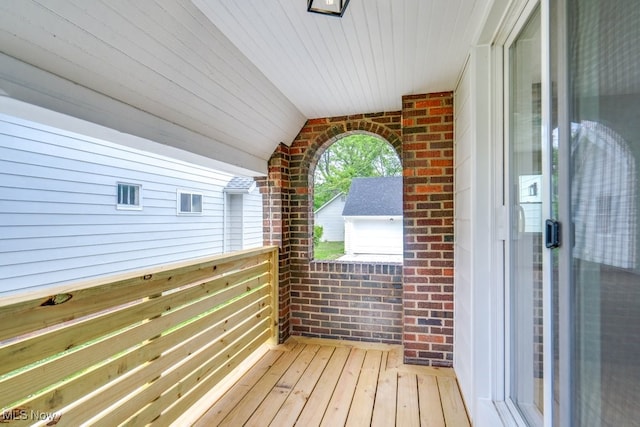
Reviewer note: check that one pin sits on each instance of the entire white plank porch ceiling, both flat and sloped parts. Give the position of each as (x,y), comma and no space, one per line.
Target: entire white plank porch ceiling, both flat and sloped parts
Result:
(229,79)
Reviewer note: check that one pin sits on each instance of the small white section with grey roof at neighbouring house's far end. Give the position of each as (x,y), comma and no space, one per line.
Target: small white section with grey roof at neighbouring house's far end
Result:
(243,214)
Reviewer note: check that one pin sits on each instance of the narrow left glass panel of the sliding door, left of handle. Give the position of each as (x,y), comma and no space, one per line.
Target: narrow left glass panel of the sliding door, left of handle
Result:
(526,197)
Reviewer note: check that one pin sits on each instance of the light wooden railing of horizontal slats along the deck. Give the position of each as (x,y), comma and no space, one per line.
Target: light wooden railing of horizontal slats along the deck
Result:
(140,349)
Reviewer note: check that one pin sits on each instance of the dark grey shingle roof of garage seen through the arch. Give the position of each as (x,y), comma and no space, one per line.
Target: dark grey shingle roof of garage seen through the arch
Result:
(374,197)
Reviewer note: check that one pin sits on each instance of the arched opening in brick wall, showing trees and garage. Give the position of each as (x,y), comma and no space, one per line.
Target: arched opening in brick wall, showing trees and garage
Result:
(357,200)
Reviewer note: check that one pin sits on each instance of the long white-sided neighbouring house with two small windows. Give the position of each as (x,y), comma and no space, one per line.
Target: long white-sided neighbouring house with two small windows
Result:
(74,207)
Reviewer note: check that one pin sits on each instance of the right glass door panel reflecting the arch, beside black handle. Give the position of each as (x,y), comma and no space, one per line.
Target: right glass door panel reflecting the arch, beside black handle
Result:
(604,75)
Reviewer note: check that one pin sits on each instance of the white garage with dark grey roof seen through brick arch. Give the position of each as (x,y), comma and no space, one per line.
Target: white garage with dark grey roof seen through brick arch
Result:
(373,216)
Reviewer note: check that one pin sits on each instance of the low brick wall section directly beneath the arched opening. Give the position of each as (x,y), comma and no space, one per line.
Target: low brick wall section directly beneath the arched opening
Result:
(353,301)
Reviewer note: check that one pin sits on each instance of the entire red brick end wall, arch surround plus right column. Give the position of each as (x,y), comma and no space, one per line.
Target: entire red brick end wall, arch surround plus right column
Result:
(410,303)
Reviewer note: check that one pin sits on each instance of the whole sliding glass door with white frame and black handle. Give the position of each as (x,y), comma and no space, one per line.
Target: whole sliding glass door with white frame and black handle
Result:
(573,311)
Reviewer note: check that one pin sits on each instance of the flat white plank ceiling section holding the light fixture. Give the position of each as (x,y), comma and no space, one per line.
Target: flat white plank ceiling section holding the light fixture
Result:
(362,63)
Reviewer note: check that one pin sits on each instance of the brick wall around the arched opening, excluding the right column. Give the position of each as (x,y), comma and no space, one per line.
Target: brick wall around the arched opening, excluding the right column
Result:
(342,300)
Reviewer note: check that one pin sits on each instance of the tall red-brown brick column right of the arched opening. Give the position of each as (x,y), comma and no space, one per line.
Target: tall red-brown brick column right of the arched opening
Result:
(427,147)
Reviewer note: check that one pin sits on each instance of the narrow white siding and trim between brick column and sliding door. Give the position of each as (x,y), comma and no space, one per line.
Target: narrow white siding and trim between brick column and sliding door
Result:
(476,219)
